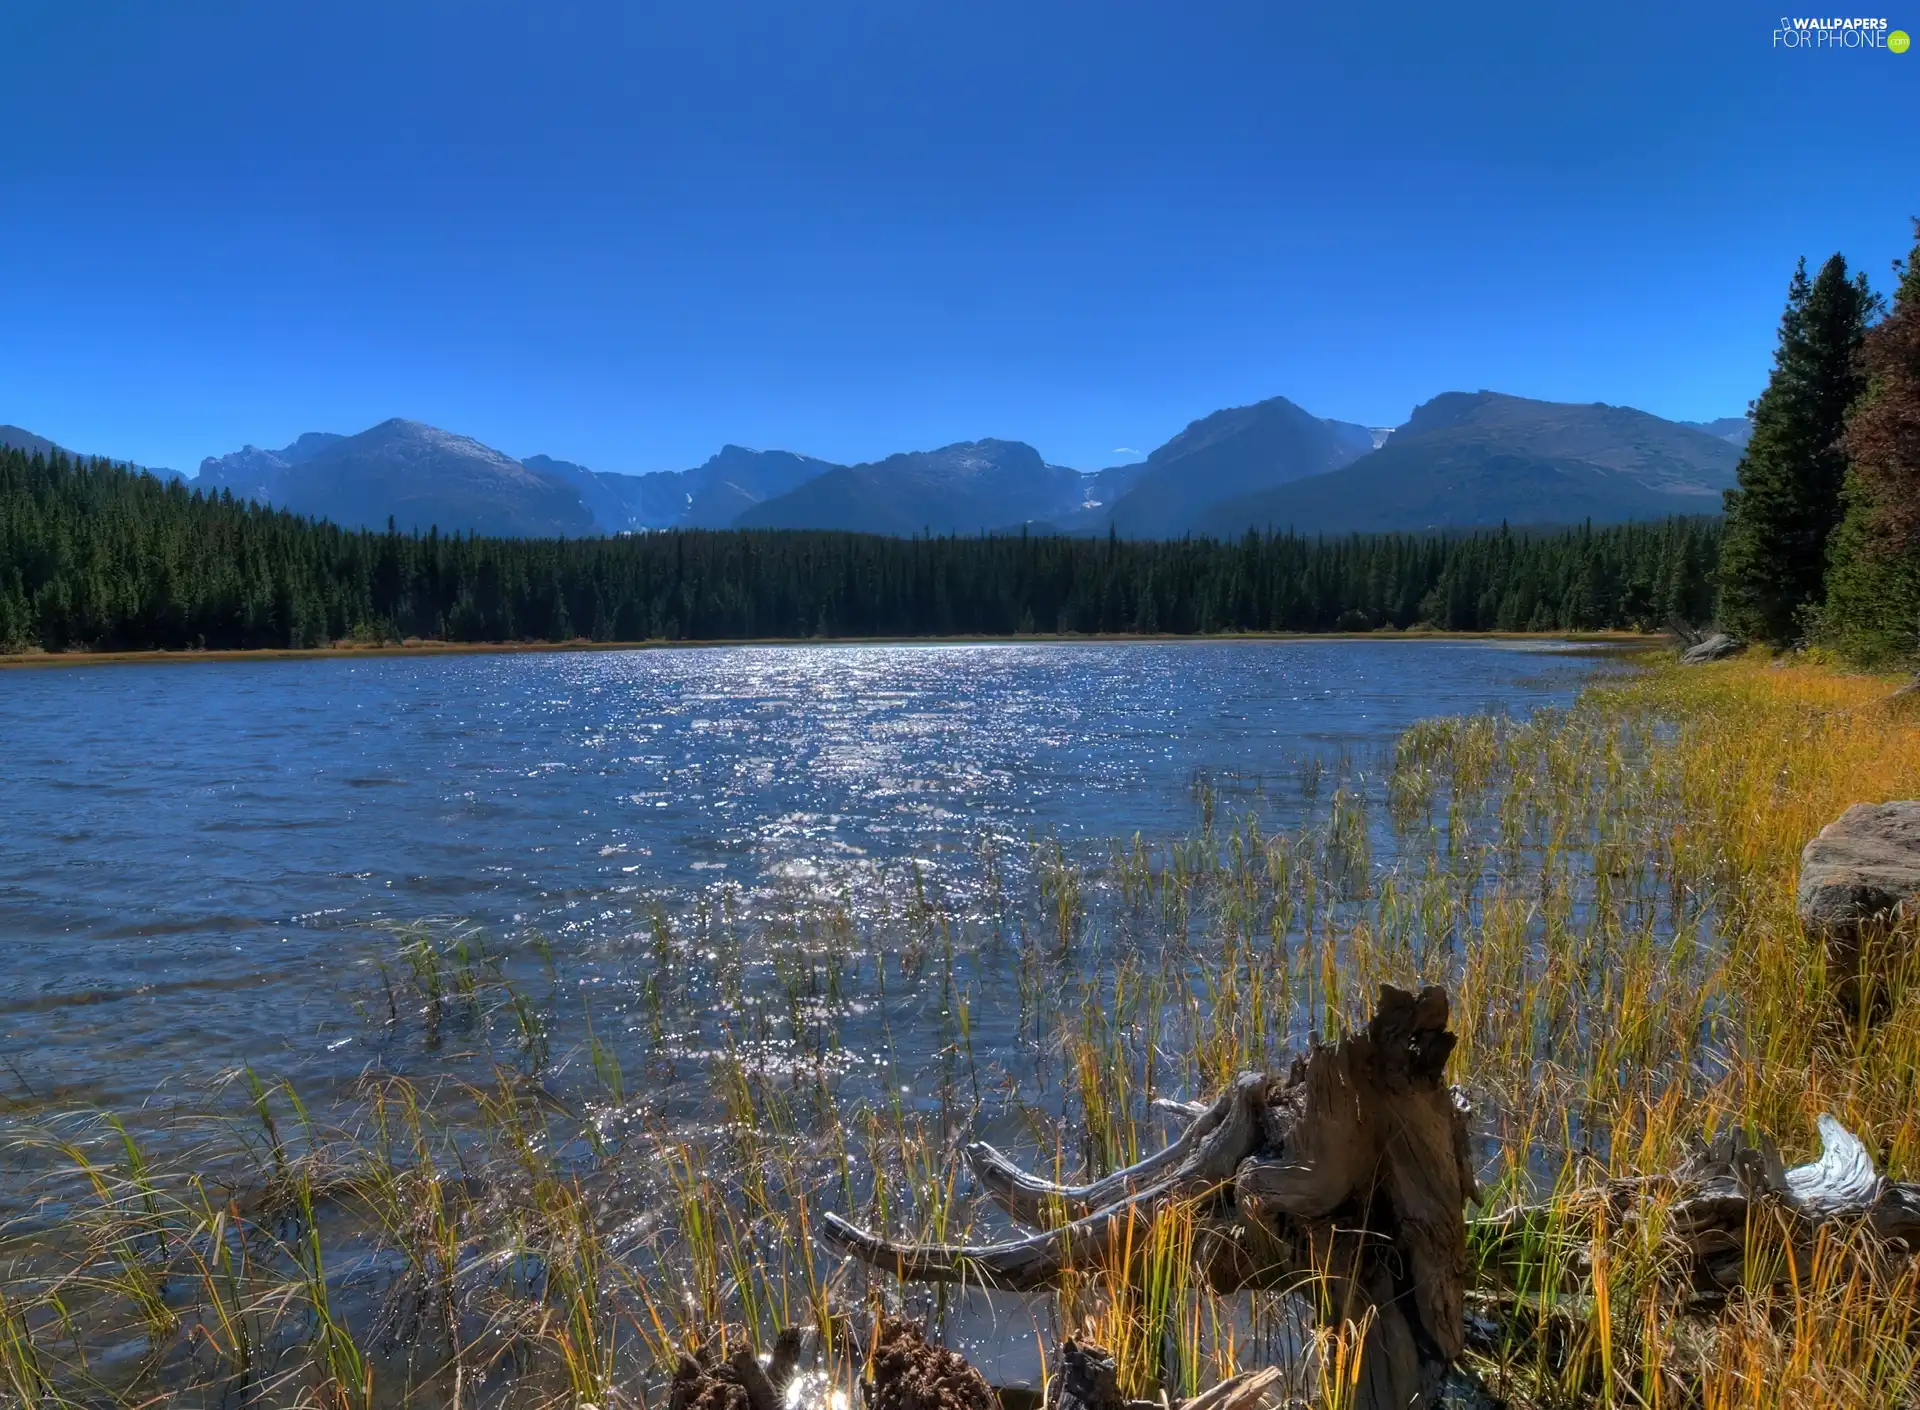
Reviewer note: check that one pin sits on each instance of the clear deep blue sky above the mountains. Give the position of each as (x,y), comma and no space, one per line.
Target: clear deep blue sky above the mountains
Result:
(627,233)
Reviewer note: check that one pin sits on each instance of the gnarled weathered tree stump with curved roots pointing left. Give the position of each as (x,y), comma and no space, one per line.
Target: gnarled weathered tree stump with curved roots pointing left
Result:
(1349,1180)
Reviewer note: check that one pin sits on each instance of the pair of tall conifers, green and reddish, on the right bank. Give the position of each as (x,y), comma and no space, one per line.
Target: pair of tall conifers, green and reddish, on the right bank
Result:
(1823,535)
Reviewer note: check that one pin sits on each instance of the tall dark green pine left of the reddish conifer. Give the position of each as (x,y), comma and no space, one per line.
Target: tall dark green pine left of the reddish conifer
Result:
(1773,560)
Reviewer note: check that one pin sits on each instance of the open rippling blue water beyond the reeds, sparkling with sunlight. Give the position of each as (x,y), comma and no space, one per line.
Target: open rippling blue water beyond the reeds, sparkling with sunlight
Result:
(197,860)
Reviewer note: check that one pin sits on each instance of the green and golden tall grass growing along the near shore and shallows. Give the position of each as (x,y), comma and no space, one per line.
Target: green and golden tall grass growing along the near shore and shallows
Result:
(558,1171)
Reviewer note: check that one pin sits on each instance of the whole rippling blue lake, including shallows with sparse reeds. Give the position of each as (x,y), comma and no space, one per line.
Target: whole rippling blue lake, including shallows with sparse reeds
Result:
(748,931)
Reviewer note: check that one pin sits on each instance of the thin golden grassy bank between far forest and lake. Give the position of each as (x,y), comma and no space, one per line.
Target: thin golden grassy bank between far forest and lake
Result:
(51,660)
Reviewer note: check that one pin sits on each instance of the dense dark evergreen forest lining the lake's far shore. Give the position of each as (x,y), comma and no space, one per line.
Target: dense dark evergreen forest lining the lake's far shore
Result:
(99,558)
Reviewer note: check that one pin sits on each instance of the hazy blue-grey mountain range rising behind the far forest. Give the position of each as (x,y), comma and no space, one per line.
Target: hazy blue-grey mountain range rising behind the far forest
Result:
(1462,460)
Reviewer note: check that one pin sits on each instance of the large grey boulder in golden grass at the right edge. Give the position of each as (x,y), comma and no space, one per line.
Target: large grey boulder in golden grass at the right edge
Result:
(1863,871)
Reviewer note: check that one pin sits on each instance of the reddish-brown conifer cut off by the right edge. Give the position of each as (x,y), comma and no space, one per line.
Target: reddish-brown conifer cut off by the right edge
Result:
(1875,581)
